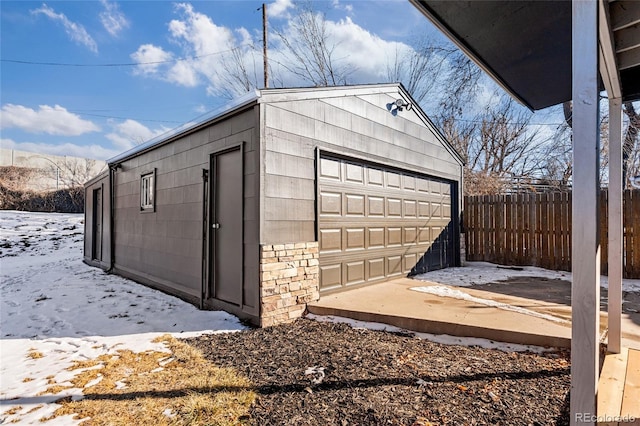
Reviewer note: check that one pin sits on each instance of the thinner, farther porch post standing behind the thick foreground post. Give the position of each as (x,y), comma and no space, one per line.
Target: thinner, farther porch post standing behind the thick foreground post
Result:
(615,225)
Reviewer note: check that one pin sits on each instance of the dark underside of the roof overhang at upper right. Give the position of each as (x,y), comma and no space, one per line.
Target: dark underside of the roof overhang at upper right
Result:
(525,46)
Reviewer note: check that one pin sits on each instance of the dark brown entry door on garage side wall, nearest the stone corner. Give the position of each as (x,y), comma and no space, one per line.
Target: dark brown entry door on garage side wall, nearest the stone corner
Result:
(226,226)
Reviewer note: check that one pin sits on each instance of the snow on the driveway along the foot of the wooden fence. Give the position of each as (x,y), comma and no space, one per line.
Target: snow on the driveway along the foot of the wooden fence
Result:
(483,273)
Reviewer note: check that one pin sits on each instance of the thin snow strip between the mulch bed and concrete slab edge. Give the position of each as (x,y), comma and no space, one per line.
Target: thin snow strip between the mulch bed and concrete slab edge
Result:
(444,339)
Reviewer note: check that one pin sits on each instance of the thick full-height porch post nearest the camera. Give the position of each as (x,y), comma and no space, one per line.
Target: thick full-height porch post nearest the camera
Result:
(585,254)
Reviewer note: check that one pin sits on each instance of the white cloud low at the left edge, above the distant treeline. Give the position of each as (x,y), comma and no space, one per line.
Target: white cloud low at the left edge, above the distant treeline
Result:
(54,120)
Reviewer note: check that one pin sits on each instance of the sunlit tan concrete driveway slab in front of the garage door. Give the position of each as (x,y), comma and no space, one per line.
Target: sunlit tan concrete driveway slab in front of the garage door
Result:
(520,312)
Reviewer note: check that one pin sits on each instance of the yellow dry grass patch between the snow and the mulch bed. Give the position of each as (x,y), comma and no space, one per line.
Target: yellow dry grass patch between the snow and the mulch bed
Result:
(157,388)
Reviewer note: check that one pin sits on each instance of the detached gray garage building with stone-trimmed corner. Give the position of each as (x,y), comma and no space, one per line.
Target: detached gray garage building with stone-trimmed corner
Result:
(284,196)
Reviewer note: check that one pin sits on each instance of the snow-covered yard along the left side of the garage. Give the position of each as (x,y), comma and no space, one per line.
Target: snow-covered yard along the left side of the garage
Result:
(54,305)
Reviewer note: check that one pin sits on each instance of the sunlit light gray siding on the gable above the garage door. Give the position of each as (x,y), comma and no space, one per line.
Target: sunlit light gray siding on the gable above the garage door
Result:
(359,126)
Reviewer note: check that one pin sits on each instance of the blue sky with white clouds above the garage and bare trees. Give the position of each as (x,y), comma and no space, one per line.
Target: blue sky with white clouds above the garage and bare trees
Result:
(113,93)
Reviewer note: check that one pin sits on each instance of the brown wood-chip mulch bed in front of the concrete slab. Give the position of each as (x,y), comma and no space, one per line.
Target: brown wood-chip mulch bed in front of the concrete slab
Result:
(383,378)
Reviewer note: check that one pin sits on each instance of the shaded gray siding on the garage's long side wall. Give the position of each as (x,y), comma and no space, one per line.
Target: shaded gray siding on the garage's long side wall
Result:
(164,248)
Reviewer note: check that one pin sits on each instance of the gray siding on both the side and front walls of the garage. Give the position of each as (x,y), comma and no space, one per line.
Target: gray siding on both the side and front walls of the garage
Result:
(282,134)
